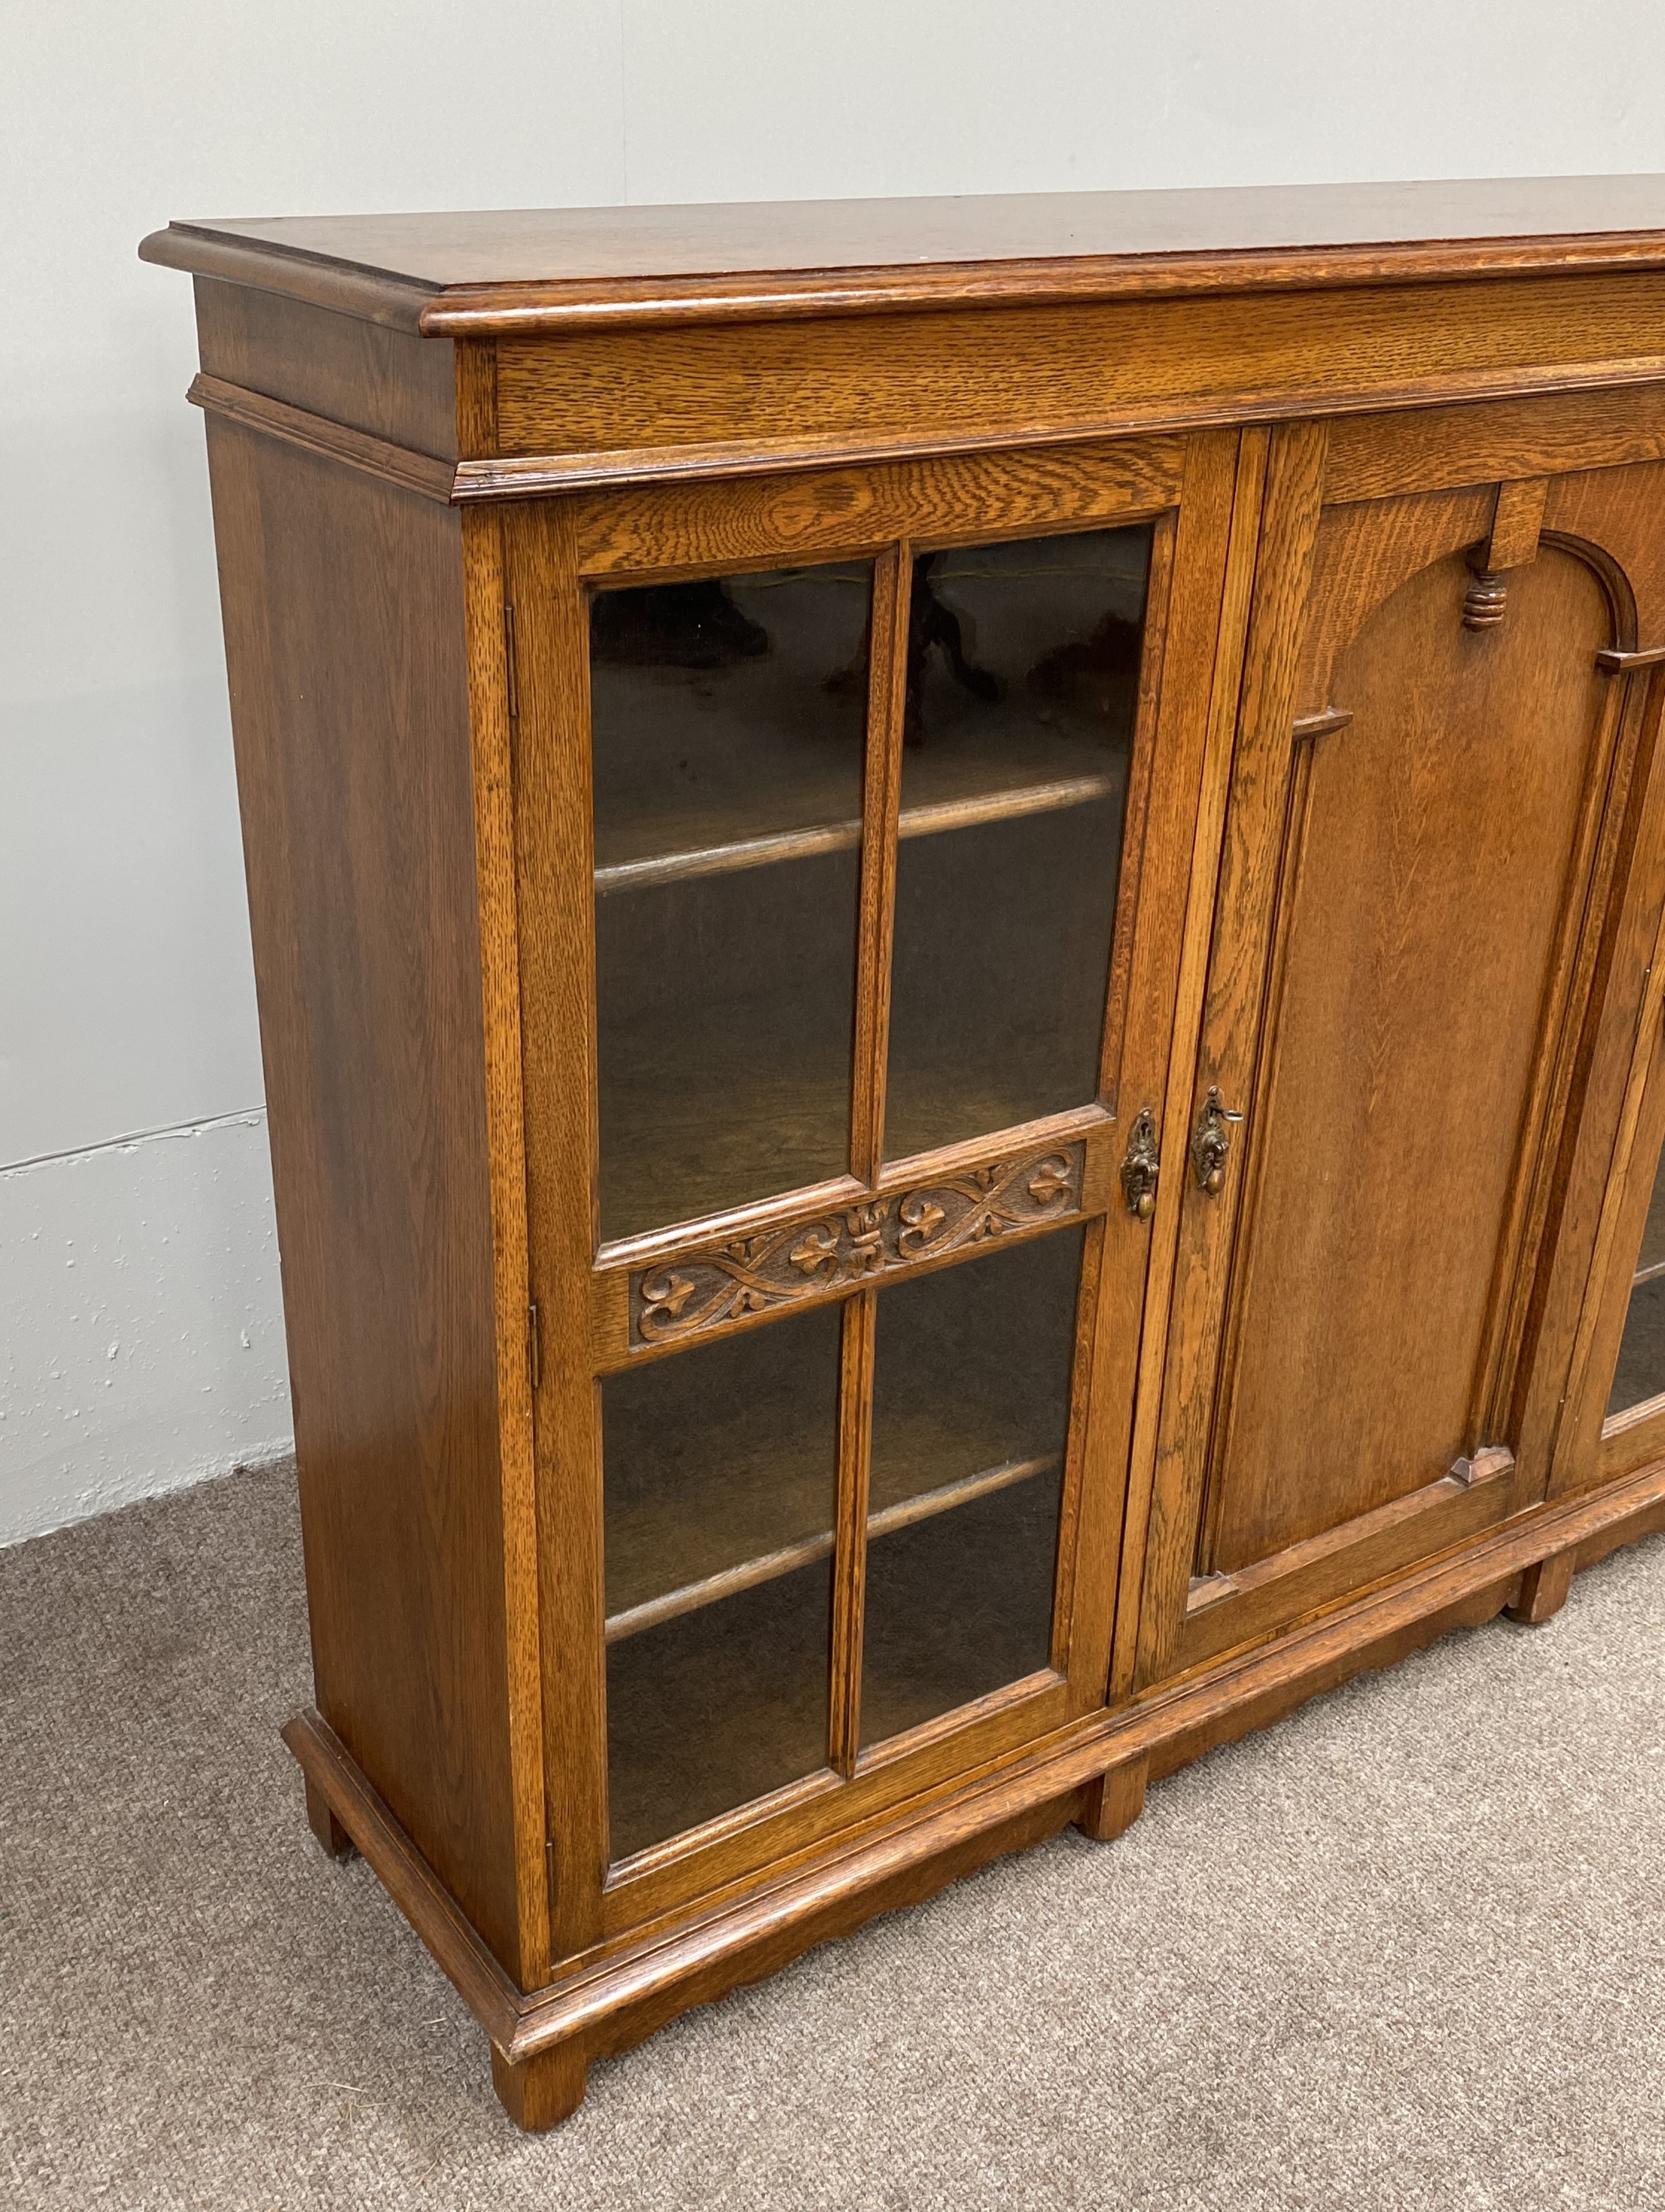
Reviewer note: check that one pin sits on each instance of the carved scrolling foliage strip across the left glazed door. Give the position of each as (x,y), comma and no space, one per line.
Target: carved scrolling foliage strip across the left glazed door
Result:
(848,1246)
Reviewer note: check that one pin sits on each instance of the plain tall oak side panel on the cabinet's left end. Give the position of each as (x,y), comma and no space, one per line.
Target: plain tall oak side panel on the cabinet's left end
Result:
(350,707)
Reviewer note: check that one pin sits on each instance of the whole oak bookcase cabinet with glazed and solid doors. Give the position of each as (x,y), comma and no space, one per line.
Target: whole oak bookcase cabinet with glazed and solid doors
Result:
(956,941)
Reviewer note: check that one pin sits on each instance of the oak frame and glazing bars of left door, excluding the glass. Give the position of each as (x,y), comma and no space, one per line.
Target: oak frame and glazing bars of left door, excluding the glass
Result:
(596,1297)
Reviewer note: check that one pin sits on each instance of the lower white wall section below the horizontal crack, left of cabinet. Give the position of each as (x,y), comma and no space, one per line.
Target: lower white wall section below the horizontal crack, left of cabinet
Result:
(140,1324)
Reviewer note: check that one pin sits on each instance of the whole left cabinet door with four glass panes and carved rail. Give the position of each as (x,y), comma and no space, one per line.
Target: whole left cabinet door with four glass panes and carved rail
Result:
(855,844)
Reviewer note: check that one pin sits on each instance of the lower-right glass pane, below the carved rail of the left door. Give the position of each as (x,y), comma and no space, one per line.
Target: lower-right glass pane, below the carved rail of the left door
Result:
(972,1406)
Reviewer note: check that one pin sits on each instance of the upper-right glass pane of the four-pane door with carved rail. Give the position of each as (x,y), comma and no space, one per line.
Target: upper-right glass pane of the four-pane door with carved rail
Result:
(1020,713)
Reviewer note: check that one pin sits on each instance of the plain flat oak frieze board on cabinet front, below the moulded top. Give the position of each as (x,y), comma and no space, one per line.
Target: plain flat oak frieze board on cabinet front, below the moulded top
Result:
(1032,375)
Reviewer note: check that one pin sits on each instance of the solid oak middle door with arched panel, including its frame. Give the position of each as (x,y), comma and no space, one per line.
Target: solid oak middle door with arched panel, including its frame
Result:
(1430,826)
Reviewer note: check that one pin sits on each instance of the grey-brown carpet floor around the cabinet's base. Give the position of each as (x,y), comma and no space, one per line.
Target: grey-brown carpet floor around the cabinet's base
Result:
(1403,1950)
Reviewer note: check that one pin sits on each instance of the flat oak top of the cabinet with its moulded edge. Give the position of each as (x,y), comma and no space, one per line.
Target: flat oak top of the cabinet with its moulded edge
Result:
(545,269)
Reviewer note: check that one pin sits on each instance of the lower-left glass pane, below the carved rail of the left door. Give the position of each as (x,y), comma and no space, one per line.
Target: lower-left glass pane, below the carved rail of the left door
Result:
(720,1477)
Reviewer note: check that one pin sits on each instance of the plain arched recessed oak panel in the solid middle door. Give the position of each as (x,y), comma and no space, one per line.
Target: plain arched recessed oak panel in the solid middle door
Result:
(1427,870)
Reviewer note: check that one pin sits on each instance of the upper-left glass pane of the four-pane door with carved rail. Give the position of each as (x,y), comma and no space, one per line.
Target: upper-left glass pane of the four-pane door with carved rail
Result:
(729,722)
